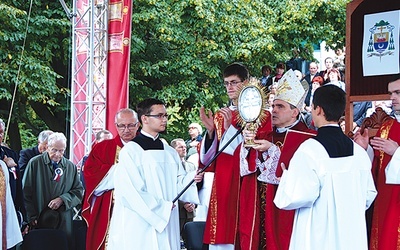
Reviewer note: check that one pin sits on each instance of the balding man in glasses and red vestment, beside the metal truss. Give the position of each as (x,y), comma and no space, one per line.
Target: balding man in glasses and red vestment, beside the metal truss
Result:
(97,203)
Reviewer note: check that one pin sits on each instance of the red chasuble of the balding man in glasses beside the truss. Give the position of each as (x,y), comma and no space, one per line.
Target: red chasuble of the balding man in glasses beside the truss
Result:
(97,217)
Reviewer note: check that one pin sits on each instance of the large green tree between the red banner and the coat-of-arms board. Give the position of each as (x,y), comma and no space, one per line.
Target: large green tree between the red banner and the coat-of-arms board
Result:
(180,47)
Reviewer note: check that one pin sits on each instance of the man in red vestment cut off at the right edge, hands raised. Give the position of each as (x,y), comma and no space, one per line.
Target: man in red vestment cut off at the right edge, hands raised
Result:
(385,230)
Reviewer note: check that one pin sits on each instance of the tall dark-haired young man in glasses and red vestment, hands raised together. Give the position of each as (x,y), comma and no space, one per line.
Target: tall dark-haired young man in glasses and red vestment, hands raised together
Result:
(233,214)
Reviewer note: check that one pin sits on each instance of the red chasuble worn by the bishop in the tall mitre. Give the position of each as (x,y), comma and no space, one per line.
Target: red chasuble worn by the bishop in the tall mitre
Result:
(278,223)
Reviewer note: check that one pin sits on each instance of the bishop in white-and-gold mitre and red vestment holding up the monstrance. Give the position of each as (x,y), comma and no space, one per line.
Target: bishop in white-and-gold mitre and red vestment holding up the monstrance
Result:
(276,224)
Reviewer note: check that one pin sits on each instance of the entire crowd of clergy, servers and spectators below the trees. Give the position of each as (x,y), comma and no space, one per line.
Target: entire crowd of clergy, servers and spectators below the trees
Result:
(132,199)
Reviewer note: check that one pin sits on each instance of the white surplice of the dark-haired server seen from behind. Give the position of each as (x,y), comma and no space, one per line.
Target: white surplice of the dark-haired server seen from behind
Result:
(330,195)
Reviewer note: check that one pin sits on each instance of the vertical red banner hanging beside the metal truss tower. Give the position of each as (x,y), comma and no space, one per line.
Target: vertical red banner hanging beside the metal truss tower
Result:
(119,35)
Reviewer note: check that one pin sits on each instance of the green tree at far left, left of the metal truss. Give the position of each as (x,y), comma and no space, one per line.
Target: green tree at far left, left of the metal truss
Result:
(41,74)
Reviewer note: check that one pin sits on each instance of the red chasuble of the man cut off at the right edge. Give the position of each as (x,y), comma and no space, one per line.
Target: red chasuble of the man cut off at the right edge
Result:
(385,231)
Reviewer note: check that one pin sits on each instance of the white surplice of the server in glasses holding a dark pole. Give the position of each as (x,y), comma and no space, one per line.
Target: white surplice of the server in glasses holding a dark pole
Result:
(145,184)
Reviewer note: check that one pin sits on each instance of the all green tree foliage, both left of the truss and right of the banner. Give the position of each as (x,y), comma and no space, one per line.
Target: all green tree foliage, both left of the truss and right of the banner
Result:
(178,50)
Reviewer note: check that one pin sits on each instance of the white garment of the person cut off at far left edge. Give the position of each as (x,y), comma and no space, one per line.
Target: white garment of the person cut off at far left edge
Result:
(13,233)
